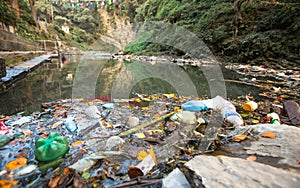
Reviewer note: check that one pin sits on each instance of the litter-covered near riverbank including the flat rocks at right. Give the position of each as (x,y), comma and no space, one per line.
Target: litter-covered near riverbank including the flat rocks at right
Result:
(103,152)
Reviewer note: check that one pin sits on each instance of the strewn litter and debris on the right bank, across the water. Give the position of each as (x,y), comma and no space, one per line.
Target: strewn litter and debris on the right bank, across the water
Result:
(275,84)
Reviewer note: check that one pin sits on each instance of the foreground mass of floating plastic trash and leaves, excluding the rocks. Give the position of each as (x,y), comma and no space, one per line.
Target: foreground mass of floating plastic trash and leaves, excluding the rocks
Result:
(123,143)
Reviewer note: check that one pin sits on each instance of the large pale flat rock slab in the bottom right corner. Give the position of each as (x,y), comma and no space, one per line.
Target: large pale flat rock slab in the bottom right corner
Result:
(208,171)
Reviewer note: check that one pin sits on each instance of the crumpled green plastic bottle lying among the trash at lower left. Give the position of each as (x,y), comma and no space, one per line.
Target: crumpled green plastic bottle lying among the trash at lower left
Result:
(51,148)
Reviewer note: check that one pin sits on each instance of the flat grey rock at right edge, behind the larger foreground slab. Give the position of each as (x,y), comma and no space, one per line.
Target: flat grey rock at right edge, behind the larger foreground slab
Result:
(285,145)
